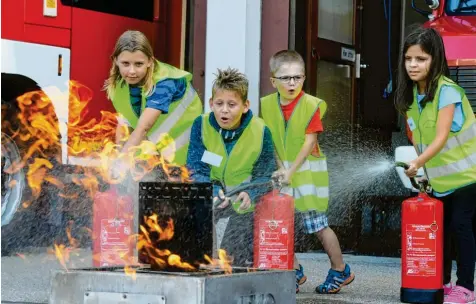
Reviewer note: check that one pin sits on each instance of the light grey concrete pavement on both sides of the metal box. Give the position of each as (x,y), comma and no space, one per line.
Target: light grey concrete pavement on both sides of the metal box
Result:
(377,279)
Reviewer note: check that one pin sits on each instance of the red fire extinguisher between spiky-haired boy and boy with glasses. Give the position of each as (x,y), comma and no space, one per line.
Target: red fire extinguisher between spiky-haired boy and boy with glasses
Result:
(274,232)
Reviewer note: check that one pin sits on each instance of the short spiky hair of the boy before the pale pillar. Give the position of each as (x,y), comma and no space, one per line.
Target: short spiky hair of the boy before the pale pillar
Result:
(231,80)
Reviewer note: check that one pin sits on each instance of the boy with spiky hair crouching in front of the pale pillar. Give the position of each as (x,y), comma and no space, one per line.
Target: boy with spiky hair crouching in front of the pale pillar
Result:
(231,147)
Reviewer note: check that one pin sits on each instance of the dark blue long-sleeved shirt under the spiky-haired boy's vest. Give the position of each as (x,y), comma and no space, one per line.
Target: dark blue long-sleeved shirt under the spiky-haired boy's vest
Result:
(262,170)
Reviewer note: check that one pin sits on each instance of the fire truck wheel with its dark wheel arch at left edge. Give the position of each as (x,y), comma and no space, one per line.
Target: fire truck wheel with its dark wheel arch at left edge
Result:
(22,228)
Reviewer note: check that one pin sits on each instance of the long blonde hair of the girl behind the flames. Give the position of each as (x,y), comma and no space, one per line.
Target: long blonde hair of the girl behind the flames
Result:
(131,41)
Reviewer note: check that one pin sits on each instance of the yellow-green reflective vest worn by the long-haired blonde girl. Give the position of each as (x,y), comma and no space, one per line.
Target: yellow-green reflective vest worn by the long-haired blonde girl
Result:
(175,125)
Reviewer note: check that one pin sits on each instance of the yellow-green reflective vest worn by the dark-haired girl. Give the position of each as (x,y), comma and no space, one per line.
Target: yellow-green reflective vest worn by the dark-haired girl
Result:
(455,165)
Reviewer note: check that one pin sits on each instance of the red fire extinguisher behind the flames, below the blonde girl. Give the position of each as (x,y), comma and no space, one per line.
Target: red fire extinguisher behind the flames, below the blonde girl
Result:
(113,220)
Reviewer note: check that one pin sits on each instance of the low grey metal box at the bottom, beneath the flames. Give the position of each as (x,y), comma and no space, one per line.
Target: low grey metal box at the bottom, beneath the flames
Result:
(153,287)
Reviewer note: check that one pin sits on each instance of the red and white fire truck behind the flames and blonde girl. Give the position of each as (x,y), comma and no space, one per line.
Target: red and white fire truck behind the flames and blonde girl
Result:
(47,43)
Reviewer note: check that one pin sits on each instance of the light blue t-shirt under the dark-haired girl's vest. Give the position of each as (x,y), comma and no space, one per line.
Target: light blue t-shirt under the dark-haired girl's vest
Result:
(448,95)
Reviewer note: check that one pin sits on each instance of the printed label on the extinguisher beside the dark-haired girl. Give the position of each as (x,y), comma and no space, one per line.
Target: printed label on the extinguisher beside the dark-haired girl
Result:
(421,251)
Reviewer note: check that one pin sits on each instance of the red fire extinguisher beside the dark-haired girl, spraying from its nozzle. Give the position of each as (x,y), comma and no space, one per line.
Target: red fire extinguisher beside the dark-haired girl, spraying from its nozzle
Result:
(422,248)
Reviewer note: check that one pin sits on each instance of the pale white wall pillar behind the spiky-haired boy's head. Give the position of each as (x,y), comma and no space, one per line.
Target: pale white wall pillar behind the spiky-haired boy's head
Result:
(233,34)
